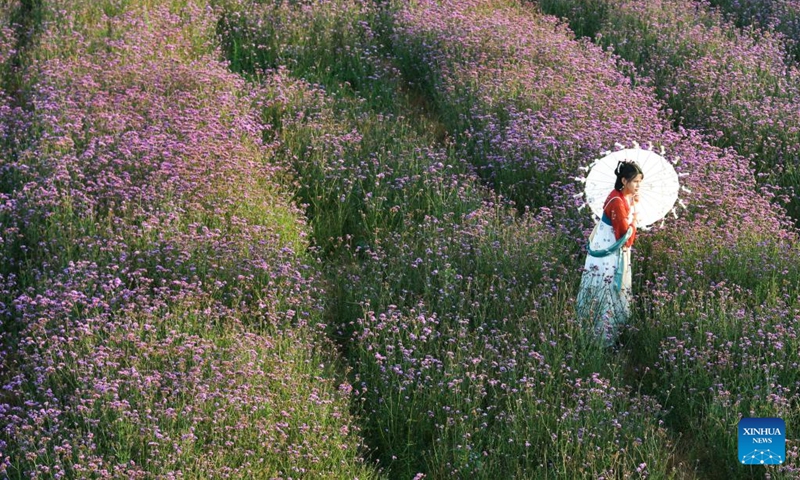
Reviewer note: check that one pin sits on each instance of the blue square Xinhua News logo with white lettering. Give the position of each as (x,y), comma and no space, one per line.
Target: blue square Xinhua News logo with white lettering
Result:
(762,441)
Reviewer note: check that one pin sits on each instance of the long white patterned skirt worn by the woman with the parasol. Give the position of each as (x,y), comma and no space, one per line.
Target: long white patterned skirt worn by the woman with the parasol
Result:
(601,304)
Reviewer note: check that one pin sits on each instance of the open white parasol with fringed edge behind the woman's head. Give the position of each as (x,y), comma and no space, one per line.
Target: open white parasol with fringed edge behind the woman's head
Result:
(658,191)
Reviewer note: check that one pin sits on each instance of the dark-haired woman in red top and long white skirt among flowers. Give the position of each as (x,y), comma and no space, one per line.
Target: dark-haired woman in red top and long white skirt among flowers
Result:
(604,296)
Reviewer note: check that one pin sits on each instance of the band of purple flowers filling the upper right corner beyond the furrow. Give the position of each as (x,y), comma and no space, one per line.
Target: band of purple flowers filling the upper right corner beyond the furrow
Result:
(736,86)
